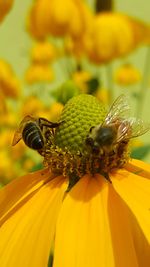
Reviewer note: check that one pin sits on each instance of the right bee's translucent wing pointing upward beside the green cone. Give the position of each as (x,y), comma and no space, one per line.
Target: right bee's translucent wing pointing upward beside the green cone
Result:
(119,109)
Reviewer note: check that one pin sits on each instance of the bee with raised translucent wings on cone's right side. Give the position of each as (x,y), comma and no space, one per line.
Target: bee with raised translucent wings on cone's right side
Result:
(117,128)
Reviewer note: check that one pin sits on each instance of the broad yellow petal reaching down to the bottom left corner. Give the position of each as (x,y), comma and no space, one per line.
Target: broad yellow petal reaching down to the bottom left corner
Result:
(28,234)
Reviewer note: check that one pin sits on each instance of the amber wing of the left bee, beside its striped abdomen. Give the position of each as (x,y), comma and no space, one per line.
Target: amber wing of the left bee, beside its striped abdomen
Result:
(18,133)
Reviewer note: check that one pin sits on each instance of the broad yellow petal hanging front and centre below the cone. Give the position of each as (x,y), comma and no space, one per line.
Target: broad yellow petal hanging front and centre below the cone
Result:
(94,228)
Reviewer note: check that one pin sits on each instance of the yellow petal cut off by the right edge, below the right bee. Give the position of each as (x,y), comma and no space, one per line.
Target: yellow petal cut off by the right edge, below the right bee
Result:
(135,191)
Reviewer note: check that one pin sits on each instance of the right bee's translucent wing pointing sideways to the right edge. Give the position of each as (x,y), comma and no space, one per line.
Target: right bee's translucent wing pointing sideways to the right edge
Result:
(138,126)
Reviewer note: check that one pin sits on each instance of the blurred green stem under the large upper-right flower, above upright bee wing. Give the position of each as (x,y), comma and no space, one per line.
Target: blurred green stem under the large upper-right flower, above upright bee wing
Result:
(109,75)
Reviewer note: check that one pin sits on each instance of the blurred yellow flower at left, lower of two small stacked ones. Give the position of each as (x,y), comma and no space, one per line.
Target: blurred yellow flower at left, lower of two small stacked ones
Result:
(39,73)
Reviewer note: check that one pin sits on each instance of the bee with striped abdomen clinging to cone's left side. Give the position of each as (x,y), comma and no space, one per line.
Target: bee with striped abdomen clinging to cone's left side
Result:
(33,131)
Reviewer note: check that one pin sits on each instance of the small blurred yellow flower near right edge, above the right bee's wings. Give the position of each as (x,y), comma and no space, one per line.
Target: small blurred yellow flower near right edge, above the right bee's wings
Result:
(127,74)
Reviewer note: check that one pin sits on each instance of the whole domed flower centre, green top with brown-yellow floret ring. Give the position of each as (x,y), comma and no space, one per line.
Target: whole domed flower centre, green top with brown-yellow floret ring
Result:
(70,151)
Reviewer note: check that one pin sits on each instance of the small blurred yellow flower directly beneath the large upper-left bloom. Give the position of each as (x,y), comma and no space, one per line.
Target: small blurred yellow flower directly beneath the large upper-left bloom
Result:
(43,52)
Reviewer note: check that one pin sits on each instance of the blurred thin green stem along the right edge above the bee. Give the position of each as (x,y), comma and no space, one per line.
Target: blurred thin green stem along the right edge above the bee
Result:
(144,84)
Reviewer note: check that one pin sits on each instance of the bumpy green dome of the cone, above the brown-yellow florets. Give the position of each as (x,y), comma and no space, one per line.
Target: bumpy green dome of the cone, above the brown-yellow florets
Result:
(78,116)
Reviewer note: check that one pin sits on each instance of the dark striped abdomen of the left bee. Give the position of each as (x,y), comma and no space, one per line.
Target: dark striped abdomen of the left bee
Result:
(32,136)
